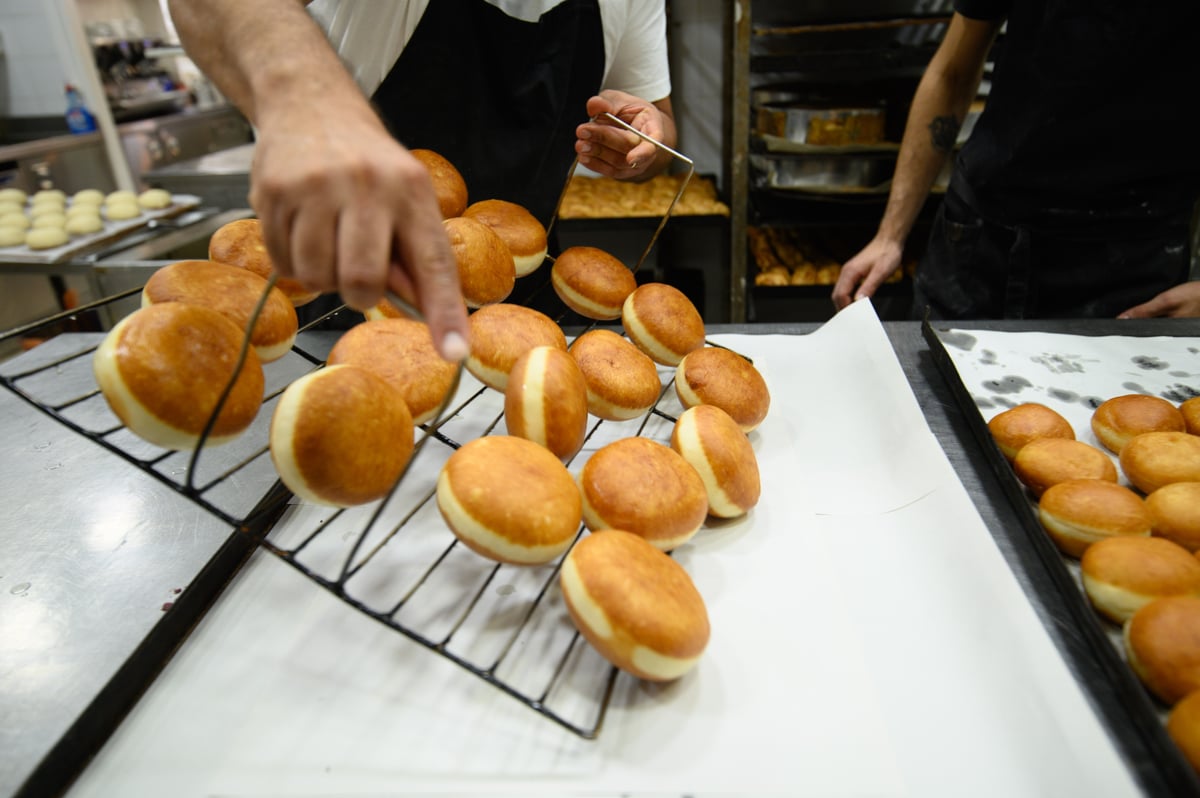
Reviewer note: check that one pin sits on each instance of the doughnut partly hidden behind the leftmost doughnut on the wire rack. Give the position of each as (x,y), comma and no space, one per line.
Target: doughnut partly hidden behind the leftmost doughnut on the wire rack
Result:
(232,292)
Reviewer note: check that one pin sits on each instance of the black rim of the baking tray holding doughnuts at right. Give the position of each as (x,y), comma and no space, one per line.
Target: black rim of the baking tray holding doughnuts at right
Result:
(1130,712)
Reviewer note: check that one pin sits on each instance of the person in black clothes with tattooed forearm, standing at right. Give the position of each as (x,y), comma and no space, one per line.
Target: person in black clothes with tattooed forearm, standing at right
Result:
(1075,195)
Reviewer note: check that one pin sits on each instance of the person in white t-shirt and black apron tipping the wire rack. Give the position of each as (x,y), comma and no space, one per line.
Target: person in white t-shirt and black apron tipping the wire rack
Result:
(503,89)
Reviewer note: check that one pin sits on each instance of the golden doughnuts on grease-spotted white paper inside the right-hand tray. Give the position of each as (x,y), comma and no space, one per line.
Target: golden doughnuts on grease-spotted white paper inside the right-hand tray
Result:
(1099,439)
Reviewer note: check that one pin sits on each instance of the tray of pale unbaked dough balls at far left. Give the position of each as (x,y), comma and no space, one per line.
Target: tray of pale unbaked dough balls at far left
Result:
(51,226)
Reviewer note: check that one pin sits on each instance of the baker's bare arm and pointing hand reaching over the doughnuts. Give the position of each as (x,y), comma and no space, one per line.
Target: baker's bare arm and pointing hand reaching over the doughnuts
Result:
(344,206)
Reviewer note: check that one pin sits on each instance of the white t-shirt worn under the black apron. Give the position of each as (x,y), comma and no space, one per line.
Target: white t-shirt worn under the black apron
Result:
(369,35)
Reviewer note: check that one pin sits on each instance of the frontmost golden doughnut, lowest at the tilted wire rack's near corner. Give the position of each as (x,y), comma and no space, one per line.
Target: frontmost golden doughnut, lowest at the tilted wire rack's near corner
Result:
(635,605)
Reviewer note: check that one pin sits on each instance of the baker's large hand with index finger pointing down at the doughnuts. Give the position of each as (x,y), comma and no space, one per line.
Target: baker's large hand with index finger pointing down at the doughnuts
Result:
(346,208)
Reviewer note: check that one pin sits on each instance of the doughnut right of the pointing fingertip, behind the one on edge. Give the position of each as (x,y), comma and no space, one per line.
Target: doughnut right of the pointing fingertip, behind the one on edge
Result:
(502,333)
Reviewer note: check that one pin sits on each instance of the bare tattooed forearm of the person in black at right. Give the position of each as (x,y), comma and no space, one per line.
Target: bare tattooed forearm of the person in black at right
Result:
(935,118)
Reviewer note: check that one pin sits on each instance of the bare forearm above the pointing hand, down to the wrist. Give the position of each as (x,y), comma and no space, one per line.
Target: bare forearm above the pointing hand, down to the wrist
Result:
(268,57)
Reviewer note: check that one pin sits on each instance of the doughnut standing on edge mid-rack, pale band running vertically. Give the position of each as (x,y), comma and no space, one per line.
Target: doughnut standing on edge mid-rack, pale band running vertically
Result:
(547,401)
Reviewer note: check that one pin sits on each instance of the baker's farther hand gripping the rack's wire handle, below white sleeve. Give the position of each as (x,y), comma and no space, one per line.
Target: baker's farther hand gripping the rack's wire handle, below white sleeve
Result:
(613,151)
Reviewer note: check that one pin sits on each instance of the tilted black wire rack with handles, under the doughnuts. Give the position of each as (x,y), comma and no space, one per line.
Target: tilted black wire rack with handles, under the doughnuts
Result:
(394,560)
